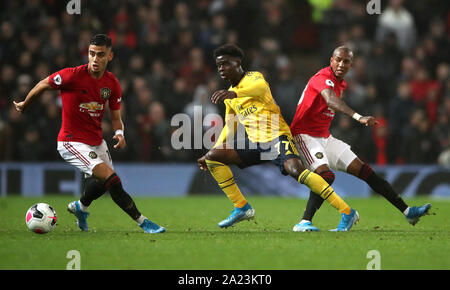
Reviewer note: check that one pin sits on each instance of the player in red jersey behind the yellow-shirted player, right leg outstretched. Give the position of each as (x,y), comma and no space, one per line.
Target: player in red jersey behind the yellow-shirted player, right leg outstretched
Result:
(321,152)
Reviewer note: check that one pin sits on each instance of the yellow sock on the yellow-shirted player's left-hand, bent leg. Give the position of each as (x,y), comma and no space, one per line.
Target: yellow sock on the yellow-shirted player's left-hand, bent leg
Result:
(224,177)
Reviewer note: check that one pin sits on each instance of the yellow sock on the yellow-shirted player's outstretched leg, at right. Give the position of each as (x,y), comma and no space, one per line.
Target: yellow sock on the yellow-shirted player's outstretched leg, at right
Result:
(319,186)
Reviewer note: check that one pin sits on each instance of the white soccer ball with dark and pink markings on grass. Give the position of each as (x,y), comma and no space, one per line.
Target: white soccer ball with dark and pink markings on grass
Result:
(41,218)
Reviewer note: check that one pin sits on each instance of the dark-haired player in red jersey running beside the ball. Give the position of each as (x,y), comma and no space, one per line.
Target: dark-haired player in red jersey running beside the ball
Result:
(85,91)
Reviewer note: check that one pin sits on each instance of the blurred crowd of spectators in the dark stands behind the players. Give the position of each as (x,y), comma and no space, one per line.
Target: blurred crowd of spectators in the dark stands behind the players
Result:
(163,60)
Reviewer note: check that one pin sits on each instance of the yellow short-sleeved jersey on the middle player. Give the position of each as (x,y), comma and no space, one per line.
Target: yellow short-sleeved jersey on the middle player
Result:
(254,108)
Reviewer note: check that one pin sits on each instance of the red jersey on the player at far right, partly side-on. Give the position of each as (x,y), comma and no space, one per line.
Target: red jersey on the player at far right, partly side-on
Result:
(313,117)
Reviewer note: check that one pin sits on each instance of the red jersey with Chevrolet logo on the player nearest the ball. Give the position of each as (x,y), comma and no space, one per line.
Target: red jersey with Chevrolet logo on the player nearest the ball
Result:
(83,103)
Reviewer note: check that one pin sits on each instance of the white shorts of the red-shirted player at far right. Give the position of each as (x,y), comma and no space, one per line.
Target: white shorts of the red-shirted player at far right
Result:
(317,151)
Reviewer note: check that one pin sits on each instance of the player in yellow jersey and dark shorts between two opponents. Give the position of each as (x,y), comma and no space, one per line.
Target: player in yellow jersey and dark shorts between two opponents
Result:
(268,138)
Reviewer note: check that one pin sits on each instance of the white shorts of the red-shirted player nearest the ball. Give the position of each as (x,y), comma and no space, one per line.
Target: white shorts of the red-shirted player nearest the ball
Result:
(85,157)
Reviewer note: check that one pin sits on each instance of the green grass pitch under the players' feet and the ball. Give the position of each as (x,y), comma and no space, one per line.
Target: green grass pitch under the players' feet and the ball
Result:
(193,241)
